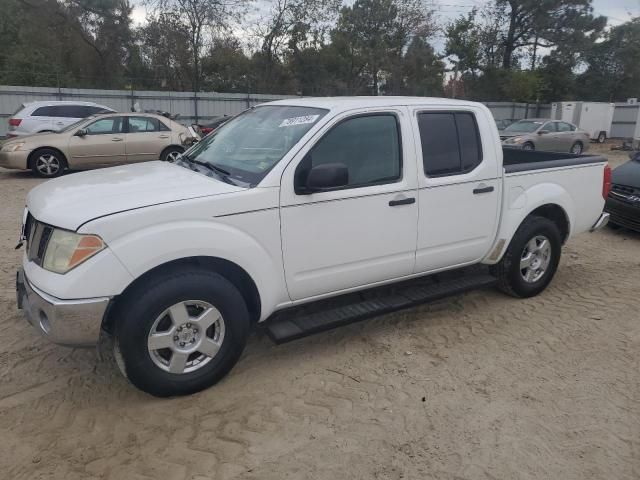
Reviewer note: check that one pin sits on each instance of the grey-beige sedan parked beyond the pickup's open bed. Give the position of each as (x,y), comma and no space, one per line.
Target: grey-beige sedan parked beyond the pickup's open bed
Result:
(546,135)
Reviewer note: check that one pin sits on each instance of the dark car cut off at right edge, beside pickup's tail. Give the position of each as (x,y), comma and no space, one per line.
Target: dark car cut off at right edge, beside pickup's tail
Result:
(623,203)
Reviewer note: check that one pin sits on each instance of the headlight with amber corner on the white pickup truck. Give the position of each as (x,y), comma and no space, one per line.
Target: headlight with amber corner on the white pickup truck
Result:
(66,250)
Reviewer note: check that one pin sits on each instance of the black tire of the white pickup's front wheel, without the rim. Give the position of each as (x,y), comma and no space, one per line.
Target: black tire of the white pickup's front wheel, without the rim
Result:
(141,308)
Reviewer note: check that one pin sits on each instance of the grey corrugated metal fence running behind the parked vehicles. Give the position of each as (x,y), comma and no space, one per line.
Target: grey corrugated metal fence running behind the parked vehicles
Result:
(200,107)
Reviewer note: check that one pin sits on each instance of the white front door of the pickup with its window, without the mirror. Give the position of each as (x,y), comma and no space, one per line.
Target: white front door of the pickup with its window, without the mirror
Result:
(363,232)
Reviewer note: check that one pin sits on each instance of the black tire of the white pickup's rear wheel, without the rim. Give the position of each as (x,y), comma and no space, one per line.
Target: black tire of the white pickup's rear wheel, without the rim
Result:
(508,272)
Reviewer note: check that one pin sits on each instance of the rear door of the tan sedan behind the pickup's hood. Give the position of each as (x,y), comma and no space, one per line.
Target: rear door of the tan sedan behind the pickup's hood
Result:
(146,138)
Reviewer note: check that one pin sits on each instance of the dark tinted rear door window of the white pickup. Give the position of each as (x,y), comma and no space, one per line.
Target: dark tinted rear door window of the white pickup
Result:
(450,143)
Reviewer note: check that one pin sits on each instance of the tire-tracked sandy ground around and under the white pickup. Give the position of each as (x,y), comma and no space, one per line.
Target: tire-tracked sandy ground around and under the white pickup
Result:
(479,386)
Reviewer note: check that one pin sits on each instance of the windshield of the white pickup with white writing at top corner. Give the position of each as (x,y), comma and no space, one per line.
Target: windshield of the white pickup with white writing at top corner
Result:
(248,146)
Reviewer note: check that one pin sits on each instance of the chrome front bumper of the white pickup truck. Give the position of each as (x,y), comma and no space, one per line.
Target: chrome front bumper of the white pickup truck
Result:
(73,323)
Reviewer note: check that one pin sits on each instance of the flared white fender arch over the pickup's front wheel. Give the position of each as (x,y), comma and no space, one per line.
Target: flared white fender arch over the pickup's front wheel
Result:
(144,249)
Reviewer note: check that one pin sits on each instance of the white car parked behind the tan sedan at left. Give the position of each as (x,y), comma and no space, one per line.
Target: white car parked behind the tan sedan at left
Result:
(38,117)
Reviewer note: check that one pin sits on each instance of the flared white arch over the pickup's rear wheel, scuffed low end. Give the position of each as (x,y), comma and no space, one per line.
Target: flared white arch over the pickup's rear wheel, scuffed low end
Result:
(519,203)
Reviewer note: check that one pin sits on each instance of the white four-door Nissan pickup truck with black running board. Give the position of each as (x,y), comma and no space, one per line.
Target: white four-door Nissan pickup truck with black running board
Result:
(288,204)
